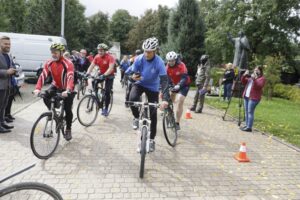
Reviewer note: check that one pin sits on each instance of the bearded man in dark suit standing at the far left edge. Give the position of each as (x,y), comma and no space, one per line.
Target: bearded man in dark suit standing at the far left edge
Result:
(7,70)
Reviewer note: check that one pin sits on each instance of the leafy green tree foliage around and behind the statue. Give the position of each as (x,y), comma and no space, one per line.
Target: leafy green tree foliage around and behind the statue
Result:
(269,25)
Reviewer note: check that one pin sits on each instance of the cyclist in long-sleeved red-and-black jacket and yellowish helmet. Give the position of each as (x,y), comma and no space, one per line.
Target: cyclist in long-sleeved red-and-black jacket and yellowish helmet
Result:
(62,72)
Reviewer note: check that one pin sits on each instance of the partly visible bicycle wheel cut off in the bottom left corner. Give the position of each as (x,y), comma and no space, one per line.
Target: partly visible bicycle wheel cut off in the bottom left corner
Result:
(29,190)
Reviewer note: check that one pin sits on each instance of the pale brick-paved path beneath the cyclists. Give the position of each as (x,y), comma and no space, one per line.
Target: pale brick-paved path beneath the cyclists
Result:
(101,162)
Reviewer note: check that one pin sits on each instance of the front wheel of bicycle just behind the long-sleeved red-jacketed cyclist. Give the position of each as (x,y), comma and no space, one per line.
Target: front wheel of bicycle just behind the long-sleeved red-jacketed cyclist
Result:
(87,110)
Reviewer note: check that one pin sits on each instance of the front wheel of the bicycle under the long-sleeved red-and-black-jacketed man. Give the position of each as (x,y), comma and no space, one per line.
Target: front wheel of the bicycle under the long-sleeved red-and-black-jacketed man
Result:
(44,137)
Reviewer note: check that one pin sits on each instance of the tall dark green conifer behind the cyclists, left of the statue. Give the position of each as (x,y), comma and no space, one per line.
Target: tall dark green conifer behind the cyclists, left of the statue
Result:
(186,33)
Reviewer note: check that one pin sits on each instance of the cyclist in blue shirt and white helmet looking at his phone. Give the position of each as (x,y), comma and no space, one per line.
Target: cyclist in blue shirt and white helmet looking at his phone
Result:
(149,72)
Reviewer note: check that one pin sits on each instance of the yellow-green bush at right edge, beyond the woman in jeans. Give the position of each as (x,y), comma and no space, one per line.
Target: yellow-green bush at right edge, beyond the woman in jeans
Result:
(287,92)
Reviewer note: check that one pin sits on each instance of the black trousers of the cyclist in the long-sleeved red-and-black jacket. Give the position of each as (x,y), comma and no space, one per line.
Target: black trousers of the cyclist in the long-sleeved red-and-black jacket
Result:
(68,103)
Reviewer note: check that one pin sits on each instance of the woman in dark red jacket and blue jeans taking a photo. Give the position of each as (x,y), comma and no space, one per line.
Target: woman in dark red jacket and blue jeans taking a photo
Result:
(254,84)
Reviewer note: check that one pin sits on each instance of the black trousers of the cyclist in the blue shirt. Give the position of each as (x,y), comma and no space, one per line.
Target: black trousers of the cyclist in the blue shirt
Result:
(135,94)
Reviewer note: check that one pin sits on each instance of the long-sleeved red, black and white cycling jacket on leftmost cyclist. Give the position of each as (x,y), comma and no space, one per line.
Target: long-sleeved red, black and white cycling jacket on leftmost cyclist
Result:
(62,72)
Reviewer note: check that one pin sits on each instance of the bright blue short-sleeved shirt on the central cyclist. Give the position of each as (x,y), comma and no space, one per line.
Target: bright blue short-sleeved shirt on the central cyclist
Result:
(150,71)
